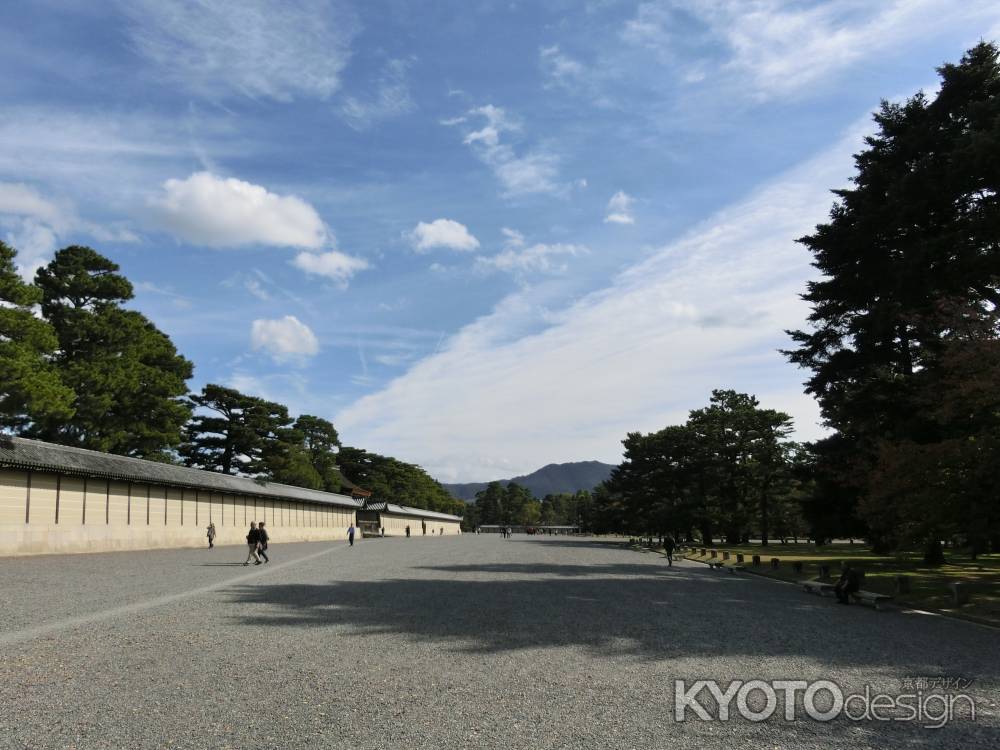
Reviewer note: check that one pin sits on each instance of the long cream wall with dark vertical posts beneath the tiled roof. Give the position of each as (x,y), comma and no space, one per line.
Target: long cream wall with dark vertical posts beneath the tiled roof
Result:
(42,512)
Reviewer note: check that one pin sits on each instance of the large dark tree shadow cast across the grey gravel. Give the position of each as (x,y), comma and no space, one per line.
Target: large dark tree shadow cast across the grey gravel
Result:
(663,615)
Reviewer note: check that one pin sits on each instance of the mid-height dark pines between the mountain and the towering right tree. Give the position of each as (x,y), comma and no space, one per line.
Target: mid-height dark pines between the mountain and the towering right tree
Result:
(730,471)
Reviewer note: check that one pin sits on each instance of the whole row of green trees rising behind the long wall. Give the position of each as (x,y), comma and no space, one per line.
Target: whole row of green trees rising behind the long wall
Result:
(78,368)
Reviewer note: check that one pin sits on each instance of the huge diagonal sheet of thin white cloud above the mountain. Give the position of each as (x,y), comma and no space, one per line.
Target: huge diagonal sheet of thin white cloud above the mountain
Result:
(706,311)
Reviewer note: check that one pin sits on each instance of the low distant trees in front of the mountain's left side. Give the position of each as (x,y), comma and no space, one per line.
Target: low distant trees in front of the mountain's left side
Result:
(514,505)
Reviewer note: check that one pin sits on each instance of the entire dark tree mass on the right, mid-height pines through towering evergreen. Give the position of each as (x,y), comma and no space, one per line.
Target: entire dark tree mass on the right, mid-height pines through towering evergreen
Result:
(904,354)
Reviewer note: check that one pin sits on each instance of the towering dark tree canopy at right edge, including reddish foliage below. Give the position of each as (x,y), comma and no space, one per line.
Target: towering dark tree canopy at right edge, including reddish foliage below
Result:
(903,317)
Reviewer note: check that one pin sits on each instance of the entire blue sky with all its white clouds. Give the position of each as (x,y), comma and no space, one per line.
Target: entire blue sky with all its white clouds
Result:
(479,236)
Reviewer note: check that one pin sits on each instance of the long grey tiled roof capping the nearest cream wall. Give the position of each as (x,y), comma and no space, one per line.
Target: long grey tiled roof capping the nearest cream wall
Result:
(36,455)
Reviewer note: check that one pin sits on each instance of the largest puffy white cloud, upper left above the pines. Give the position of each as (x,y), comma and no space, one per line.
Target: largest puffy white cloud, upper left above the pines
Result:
(206,209)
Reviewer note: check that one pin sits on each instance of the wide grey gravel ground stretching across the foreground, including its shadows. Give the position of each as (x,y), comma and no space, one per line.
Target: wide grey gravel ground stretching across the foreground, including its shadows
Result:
(471,642)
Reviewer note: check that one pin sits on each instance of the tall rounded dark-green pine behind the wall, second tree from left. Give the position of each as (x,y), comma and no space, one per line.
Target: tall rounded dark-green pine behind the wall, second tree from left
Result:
(128,379)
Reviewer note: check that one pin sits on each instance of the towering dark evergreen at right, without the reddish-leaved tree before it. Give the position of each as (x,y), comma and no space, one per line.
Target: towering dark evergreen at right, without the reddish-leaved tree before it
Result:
(919,231)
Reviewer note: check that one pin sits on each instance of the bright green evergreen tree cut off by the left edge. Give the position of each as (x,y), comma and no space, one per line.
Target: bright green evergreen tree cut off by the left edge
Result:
(30,388)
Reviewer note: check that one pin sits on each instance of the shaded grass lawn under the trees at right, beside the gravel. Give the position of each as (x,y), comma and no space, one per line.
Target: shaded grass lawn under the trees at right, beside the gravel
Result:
(928,586)
